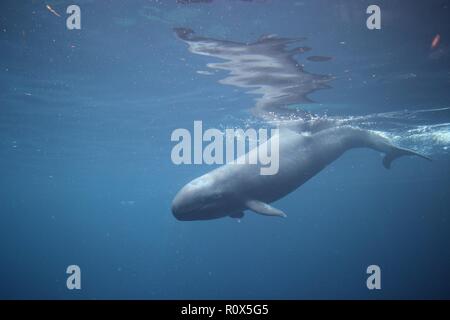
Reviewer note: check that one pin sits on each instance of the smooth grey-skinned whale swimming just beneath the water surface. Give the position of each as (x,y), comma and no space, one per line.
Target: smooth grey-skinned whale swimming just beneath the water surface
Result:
(233,188)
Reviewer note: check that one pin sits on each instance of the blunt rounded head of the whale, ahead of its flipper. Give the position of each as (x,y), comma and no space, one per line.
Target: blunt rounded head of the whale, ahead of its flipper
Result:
(200,199)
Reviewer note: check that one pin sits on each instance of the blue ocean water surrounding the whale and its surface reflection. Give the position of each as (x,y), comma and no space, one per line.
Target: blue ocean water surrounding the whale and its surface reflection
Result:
(87,179)
